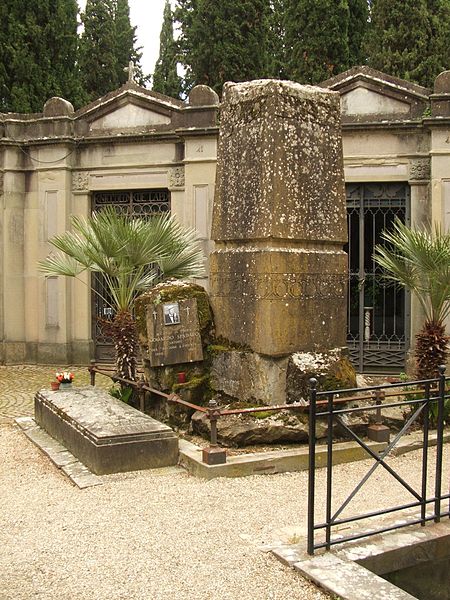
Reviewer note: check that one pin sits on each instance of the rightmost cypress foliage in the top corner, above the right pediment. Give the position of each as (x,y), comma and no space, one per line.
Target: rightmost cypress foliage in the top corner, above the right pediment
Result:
(409,38)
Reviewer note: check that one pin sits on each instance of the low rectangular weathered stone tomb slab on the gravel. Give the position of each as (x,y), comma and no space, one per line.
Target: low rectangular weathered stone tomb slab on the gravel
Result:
(105,434)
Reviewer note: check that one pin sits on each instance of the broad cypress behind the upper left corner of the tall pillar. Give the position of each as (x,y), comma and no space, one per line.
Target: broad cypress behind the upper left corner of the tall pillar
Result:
(230,41)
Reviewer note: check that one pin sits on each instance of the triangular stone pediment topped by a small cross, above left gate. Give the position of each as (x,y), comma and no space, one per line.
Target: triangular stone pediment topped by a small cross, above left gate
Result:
(131,108)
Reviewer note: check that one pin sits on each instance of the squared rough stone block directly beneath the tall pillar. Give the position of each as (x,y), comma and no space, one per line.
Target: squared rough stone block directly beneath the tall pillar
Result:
(249,377)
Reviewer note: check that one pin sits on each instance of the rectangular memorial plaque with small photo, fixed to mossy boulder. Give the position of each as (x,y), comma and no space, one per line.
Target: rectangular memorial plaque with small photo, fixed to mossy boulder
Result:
(174,333)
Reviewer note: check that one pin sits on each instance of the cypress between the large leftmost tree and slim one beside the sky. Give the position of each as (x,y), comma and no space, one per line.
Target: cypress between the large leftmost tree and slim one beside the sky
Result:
(98,58)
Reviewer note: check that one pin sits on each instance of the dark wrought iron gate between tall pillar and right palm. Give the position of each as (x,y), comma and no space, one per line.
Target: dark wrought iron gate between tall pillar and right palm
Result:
(378,312)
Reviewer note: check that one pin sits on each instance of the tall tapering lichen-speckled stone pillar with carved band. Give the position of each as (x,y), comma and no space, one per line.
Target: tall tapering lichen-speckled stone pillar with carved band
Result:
(279,272)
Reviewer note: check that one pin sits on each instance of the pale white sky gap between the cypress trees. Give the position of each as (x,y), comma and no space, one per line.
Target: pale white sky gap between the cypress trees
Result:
(147,16)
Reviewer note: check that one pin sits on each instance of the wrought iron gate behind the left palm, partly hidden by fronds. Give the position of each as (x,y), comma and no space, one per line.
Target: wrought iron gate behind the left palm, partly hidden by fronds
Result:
(139,203)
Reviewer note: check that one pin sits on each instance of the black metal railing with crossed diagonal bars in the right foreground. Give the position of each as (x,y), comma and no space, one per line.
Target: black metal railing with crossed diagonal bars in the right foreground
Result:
(423,409)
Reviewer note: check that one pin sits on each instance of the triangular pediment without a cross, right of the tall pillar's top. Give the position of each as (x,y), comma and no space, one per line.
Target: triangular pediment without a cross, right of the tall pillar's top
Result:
(369,95)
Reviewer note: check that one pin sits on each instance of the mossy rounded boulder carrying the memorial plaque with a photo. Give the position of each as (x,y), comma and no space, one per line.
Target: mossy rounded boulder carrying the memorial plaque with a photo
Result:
(174,323)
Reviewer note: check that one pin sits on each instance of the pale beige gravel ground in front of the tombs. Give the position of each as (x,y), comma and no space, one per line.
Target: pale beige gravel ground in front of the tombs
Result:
(161,534)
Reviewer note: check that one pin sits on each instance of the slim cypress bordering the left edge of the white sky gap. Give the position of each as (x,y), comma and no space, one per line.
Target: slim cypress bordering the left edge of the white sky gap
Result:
(126,50)
